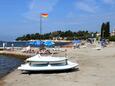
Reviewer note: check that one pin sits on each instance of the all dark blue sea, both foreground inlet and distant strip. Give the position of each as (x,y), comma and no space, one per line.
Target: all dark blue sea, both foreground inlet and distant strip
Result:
(8,64)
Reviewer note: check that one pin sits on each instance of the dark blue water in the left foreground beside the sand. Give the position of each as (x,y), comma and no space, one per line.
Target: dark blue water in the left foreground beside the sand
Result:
(8,64)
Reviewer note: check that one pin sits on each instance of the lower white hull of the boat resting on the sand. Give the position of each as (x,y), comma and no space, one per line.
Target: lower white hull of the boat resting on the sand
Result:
(27,67)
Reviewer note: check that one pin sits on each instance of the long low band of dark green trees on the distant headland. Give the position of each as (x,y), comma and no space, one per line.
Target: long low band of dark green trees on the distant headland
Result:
(67,35)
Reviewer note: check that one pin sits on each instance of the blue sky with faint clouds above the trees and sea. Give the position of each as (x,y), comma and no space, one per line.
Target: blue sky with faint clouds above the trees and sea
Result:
(20,17)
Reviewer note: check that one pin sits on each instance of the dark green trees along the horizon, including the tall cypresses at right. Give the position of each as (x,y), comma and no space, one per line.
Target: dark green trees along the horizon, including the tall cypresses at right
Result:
(69,35)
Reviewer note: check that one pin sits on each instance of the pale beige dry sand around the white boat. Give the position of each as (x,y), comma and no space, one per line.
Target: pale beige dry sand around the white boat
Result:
(97,68)
